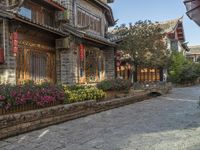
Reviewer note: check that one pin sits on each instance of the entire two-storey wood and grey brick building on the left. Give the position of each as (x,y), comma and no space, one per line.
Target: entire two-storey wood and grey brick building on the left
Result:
(61,41)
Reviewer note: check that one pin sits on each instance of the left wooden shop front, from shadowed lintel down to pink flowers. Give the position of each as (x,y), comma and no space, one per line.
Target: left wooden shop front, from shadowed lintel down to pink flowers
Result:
(35,56)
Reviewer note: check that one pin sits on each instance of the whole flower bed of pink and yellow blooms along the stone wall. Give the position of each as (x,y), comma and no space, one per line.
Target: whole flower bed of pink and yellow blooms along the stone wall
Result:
(30,96)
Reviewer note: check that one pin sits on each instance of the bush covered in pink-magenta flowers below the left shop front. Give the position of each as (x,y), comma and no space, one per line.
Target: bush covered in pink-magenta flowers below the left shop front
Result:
(29,92)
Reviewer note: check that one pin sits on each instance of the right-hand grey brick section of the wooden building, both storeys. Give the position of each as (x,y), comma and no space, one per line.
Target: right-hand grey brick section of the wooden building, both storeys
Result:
(91,53)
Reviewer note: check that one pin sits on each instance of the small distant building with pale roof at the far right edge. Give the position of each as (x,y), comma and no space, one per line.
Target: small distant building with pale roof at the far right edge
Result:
(194,53)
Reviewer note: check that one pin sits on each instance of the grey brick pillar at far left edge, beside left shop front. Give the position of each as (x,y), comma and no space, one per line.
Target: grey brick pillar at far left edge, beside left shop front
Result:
(8,69)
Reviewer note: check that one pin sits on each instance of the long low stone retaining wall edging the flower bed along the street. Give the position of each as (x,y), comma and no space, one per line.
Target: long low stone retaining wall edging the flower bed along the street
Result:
(14,124)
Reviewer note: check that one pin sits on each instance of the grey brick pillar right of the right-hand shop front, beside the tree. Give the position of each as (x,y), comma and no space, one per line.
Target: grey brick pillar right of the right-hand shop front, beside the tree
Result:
(110,63)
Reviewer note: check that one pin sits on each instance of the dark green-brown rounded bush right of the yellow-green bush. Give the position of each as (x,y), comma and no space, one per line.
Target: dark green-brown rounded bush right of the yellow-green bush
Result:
(114,85)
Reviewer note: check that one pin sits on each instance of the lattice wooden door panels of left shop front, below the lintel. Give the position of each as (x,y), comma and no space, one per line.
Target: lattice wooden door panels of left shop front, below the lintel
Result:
(35,65)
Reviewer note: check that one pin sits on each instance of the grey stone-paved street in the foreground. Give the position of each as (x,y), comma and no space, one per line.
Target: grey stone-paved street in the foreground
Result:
(170,122)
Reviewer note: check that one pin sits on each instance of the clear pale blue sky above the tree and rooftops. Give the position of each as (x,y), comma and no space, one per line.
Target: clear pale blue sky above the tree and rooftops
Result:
(130,11)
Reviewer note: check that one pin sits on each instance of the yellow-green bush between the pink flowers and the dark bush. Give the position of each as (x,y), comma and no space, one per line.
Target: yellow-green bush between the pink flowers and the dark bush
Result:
(82,93)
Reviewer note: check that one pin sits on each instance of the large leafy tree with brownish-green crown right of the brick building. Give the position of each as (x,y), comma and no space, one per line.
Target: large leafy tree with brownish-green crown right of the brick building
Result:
(144,41)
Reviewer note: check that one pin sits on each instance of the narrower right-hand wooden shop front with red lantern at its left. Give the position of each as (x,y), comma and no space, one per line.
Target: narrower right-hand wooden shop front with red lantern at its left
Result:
(91,64)
